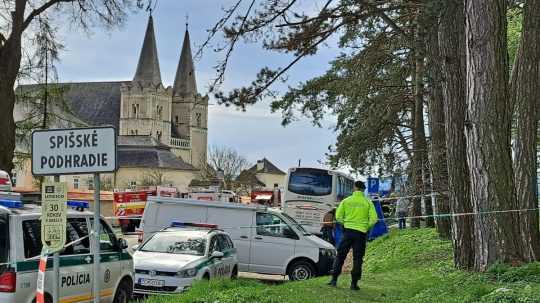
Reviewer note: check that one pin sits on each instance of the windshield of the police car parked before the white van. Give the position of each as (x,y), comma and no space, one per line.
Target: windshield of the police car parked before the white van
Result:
(173,243)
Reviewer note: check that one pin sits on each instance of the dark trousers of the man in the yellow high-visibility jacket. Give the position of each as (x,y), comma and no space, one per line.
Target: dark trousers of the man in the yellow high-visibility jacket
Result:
(357,241)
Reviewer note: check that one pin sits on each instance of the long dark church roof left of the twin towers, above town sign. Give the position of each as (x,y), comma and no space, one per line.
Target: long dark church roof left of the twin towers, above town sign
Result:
(95,103)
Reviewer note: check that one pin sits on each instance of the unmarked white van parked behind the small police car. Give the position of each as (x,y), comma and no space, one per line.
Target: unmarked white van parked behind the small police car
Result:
(267,240)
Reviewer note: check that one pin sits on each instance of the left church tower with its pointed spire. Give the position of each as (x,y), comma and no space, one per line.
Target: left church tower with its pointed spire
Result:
(145,103)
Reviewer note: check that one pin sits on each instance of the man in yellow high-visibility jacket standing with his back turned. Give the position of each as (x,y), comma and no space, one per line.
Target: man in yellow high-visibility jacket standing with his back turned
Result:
(357,214)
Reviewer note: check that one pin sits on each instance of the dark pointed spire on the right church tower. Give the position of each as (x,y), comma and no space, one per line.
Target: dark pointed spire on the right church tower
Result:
(184,81)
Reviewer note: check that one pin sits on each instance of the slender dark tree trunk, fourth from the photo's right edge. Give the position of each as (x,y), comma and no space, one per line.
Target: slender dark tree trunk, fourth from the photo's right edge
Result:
(439,169)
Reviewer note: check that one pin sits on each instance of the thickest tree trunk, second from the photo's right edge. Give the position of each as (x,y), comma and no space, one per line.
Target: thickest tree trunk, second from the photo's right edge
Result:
(488,134)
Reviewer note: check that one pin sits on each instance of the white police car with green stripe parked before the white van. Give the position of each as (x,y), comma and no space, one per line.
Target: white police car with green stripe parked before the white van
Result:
(171,259)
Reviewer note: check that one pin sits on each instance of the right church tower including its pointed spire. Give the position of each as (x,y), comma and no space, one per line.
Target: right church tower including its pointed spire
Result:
(189,111)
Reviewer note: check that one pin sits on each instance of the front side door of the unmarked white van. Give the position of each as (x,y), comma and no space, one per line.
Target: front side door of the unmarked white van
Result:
(272,245)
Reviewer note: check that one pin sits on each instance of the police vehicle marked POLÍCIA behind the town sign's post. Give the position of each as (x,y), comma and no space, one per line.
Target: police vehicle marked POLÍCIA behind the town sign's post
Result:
(20,247)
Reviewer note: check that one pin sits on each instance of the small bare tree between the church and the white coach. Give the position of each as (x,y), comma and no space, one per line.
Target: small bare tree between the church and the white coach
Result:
(227,160)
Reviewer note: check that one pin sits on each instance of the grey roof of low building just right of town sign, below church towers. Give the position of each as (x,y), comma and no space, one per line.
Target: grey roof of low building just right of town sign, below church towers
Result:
(137,151)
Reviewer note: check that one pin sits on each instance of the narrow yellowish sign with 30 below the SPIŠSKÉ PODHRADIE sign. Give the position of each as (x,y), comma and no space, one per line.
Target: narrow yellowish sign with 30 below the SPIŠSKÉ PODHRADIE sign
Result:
(53,215)
